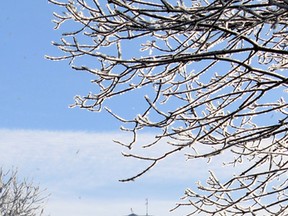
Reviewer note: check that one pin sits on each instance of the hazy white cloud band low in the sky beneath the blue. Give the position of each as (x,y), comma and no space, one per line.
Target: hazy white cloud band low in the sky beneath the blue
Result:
(81,170)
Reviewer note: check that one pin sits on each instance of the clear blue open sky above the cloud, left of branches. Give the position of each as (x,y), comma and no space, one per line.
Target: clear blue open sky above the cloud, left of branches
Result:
(35,93)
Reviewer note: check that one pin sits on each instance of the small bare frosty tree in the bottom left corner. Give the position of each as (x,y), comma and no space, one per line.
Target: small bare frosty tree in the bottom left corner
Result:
(19,198)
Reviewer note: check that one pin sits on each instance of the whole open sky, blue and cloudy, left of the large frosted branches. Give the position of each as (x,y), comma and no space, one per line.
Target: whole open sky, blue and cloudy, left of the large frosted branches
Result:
(69,151)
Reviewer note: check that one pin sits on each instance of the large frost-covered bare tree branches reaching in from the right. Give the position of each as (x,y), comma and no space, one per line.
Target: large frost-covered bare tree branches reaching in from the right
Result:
(213,75)
